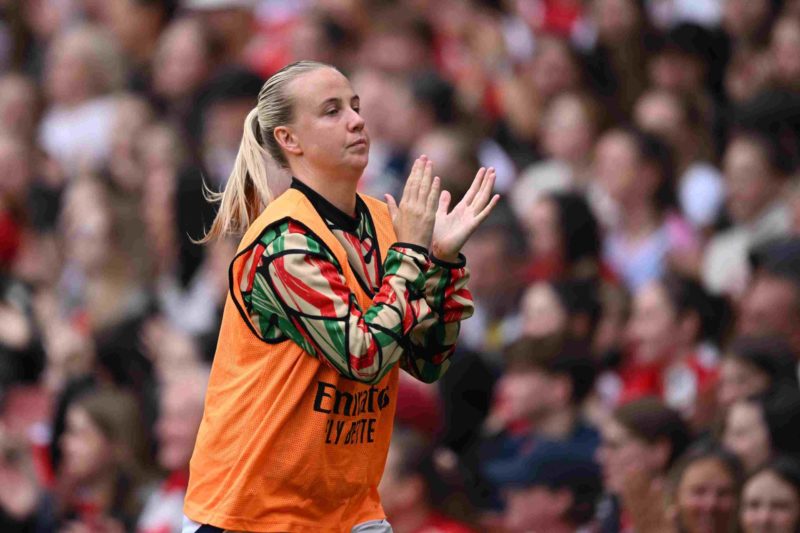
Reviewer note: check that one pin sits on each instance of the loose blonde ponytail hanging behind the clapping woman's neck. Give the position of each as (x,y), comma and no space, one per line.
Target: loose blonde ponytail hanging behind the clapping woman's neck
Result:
(247,191)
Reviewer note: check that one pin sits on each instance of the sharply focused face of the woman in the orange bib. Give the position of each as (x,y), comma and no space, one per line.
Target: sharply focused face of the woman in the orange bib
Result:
(328,131)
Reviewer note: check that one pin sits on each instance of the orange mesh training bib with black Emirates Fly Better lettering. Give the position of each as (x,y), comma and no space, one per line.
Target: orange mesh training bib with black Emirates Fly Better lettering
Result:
(287,443)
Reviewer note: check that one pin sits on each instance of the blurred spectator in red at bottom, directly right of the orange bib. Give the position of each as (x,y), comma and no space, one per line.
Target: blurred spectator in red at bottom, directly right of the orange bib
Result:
(411,488)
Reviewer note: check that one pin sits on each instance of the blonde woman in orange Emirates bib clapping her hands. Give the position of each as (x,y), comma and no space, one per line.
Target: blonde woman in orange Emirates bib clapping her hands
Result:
(330,294)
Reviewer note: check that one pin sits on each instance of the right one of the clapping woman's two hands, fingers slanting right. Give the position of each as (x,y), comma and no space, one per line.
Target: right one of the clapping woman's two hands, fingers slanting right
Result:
(453,229)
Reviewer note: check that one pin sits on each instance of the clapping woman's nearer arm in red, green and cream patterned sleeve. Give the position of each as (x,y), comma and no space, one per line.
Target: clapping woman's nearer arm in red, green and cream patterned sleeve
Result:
(298,291)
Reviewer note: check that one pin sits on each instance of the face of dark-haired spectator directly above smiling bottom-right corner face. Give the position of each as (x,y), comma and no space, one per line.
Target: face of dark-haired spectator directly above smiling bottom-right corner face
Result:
(746,435)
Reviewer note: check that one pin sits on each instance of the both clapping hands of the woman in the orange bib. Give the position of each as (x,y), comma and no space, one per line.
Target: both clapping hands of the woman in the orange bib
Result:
(423,218)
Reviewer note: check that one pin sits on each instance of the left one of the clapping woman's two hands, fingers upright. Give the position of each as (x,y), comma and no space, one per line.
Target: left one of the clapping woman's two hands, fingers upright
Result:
(414,218)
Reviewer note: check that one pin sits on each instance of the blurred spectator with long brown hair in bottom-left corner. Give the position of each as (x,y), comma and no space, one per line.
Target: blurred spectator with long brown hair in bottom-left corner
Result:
(102,478)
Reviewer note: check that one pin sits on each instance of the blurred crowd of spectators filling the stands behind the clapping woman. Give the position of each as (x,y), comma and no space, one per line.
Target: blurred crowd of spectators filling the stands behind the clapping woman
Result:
(633,362)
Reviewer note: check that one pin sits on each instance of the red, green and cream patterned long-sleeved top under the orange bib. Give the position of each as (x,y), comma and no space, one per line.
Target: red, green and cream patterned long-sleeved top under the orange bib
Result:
(294,288)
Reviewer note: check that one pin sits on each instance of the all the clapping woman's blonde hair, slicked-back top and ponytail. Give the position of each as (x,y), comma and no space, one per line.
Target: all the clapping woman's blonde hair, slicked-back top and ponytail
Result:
(247,191)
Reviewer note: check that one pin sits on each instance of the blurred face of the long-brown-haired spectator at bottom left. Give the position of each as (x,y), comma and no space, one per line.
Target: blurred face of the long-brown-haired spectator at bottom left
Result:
(87,452)
